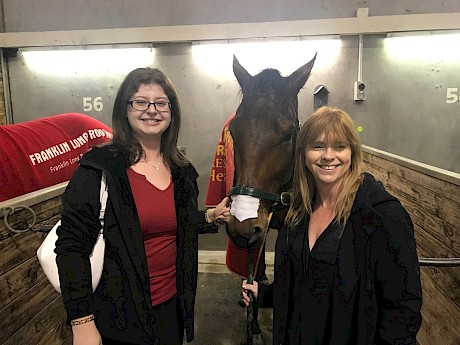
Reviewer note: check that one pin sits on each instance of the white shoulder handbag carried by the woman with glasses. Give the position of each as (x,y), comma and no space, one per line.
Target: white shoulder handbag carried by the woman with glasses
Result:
(47,256)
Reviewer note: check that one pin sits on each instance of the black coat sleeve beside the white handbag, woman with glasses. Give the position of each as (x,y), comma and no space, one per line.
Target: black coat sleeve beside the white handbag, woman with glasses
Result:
(77,235)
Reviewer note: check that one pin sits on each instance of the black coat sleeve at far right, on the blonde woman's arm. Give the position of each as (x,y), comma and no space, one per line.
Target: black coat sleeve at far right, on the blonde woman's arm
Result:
(397,274)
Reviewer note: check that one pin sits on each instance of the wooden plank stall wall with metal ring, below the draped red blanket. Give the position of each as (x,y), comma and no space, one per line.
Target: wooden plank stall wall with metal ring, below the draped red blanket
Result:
(31,311)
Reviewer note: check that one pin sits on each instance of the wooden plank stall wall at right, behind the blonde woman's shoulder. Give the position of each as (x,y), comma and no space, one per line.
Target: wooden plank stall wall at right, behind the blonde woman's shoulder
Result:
(434,204)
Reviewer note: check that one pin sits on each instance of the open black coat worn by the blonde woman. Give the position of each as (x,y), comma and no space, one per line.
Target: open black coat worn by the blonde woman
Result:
(376,296)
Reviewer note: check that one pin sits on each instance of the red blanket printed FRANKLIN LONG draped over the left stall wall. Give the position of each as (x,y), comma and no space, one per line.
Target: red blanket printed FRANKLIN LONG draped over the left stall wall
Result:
(43,152)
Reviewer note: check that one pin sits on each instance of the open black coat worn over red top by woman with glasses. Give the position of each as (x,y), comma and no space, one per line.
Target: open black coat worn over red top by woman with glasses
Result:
(122,302)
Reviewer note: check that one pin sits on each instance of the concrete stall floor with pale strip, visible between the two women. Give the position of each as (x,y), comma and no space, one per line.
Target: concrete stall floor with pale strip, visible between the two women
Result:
(219,320)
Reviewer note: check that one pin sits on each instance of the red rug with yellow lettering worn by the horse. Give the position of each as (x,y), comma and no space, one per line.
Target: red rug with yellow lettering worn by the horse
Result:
(220,182)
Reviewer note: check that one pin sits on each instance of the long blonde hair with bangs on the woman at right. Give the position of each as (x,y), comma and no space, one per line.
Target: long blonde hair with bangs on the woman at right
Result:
(337,125)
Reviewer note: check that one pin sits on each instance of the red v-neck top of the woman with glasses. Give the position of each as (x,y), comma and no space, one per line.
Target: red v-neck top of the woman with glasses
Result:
(157,216)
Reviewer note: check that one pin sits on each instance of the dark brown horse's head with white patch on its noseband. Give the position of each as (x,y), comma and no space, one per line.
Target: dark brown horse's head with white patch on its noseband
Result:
(264,132)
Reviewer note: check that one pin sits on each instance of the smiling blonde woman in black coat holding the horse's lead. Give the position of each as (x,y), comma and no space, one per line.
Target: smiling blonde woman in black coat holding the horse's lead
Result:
(346,267)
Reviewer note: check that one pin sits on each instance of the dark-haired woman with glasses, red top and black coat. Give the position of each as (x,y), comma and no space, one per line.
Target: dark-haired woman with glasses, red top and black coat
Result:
(147,291)
